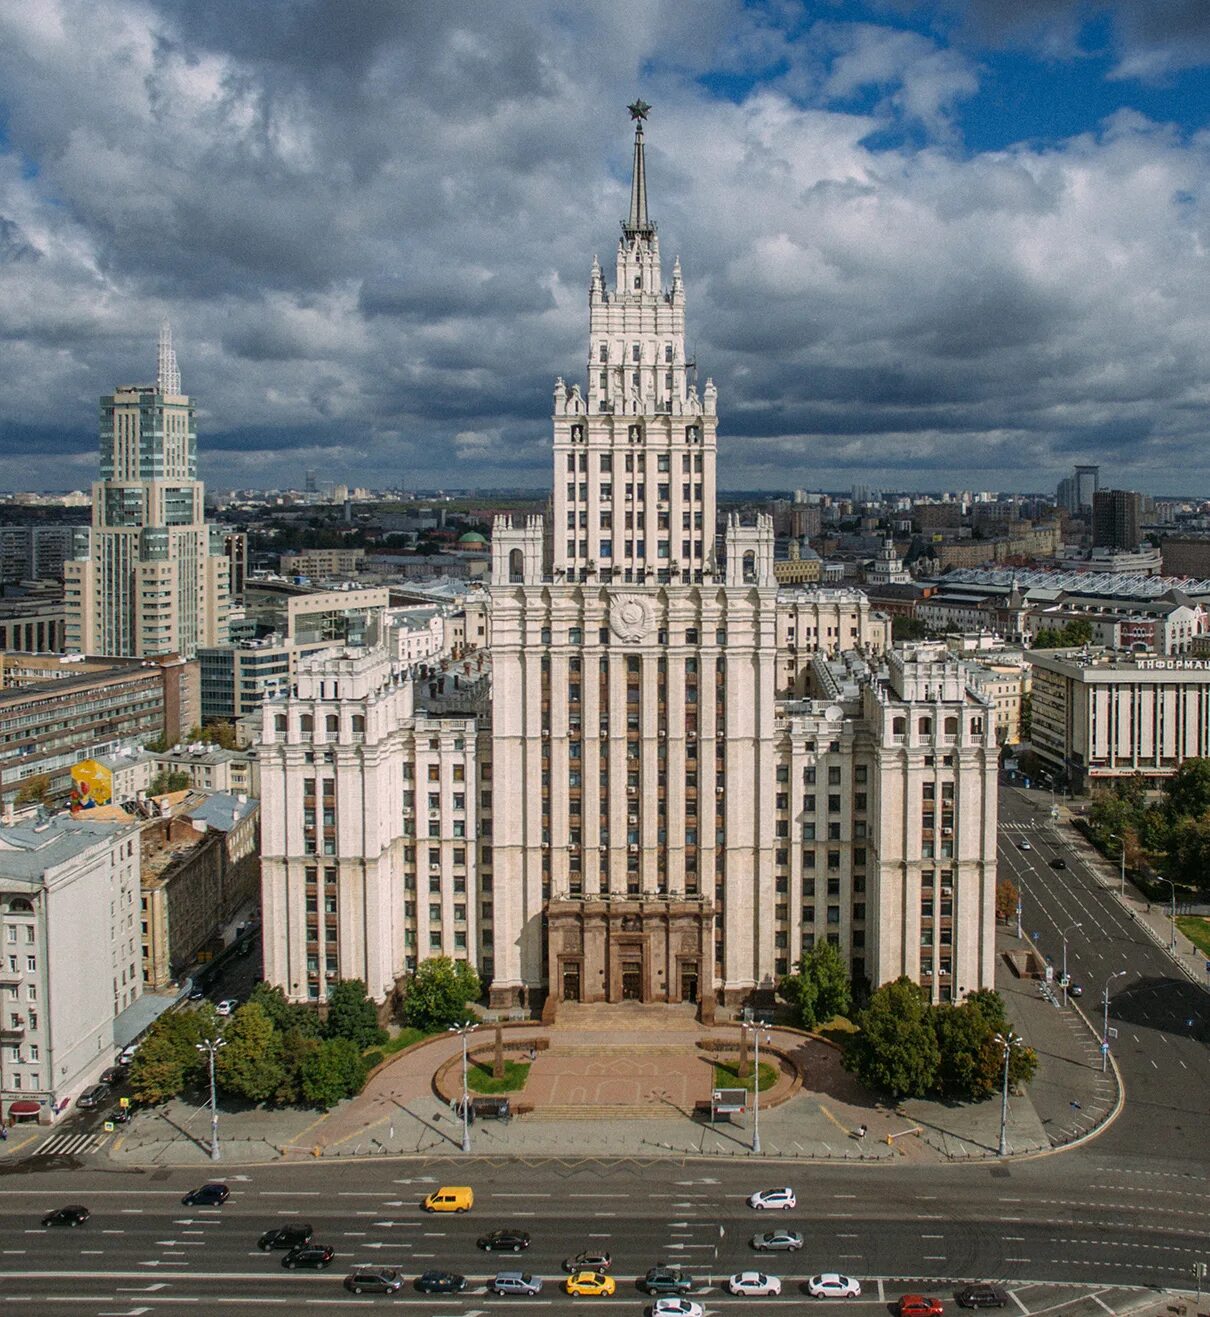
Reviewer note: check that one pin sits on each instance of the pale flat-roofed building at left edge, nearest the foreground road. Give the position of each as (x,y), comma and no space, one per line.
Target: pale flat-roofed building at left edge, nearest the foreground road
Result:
(69,957)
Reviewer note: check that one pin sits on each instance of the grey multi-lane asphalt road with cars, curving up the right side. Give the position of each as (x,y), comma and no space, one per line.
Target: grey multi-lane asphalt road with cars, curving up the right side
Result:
(1130,1208)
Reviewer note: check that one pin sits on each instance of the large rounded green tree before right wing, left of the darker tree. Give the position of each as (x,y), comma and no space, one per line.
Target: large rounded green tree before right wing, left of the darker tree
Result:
(896,1049)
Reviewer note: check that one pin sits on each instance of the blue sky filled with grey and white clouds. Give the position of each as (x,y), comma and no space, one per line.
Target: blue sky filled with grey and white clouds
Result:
(926,246)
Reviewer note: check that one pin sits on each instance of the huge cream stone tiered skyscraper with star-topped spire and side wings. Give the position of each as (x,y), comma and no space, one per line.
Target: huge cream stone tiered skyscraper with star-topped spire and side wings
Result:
(671,778)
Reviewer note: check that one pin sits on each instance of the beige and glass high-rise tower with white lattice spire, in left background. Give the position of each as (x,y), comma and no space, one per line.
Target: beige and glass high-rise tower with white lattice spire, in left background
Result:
(148,580)
